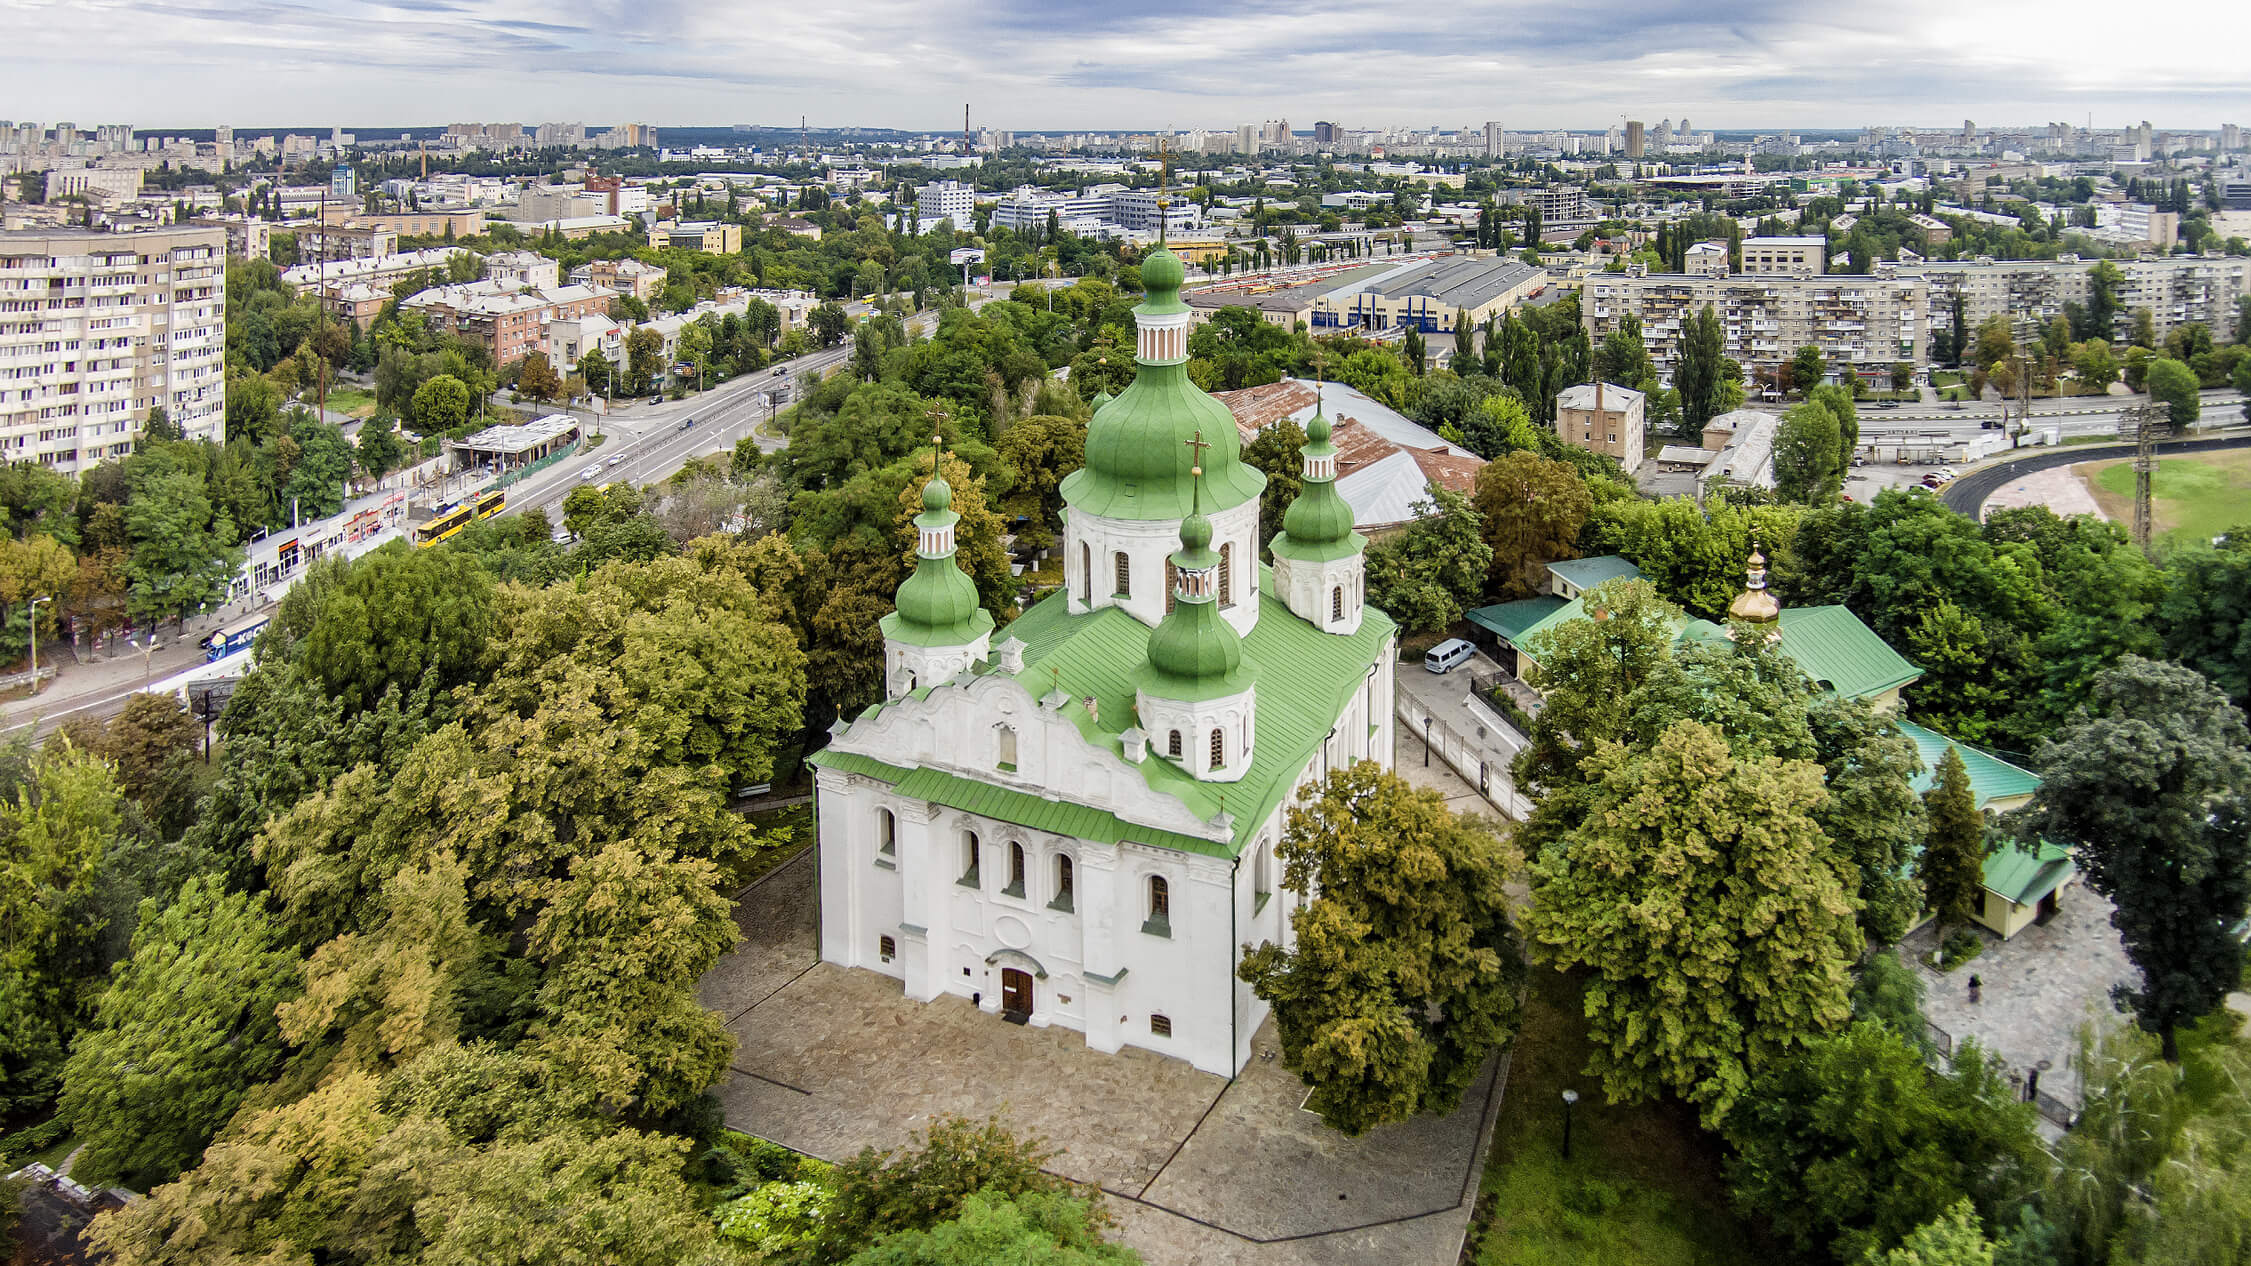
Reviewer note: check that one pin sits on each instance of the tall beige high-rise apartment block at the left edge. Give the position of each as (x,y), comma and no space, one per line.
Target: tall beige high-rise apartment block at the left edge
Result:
(100,328)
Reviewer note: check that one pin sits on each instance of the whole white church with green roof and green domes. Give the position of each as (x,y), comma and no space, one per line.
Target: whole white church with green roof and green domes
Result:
(1077,826)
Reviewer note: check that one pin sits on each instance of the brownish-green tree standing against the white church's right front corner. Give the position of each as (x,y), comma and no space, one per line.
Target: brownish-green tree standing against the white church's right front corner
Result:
(1406,972)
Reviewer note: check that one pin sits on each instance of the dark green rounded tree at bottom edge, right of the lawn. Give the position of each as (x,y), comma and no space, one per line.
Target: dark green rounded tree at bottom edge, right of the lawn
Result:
(1854,1143)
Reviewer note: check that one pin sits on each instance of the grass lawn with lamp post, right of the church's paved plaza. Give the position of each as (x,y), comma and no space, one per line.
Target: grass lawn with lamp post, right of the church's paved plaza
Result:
(1642,1186)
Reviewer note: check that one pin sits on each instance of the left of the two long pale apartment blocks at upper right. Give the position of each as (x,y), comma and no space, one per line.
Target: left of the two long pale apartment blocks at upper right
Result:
(1860,323)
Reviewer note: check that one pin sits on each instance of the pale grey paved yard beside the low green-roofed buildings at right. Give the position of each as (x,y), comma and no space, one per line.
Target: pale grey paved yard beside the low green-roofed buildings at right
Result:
(2038,988)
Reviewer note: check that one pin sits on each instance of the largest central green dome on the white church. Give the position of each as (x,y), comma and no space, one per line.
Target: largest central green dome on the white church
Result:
(1140,458)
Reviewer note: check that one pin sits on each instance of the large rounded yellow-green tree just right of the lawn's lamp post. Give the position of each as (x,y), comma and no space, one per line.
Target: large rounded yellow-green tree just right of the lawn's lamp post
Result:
(1698,889)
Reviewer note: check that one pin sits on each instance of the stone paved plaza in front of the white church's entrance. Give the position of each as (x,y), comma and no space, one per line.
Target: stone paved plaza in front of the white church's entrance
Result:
(1199,1170)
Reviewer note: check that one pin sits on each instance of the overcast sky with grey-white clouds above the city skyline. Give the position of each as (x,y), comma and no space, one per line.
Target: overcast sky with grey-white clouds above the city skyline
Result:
(1149,64)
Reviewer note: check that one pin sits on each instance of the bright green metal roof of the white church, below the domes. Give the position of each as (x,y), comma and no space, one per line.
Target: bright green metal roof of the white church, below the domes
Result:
(1304,681)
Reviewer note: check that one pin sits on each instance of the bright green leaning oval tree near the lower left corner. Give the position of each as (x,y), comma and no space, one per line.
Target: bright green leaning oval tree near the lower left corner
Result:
(183,1031)
